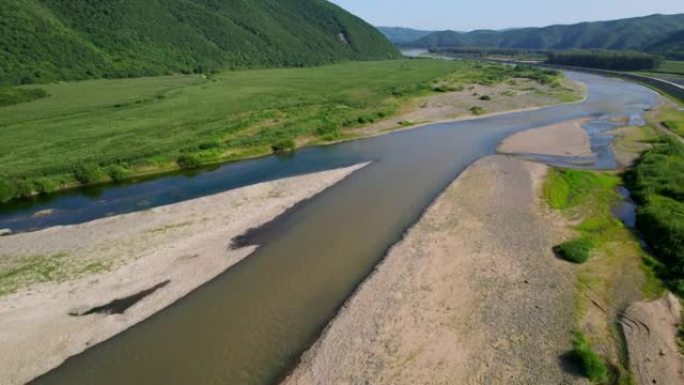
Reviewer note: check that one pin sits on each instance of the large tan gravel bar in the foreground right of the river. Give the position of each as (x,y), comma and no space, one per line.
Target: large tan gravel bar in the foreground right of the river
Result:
(472,295)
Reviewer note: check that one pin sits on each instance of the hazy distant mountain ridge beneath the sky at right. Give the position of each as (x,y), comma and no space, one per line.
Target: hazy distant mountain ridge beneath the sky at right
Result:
(634,33)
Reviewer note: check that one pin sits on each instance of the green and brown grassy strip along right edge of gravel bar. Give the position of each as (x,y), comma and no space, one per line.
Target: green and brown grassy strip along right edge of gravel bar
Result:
(612,274)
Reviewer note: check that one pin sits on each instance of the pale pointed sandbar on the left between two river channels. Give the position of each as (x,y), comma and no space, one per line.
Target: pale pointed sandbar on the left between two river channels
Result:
(185,244)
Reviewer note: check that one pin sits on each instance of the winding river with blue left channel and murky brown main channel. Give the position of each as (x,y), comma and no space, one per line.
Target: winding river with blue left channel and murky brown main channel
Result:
(250,324)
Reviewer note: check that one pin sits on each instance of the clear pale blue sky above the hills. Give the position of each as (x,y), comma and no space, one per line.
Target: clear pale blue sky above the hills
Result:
(466,15)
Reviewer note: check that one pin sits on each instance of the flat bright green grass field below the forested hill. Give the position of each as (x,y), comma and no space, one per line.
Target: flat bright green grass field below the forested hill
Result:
(101,130)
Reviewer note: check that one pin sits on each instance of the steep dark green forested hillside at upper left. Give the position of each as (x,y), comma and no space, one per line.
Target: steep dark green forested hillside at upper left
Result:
(47,40)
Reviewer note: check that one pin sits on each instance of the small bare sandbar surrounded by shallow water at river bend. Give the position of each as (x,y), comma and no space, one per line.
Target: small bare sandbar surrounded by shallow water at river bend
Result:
(562,139)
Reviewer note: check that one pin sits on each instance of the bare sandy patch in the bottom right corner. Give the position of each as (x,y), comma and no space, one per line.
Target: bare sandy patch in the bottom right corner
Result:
(651,330)
